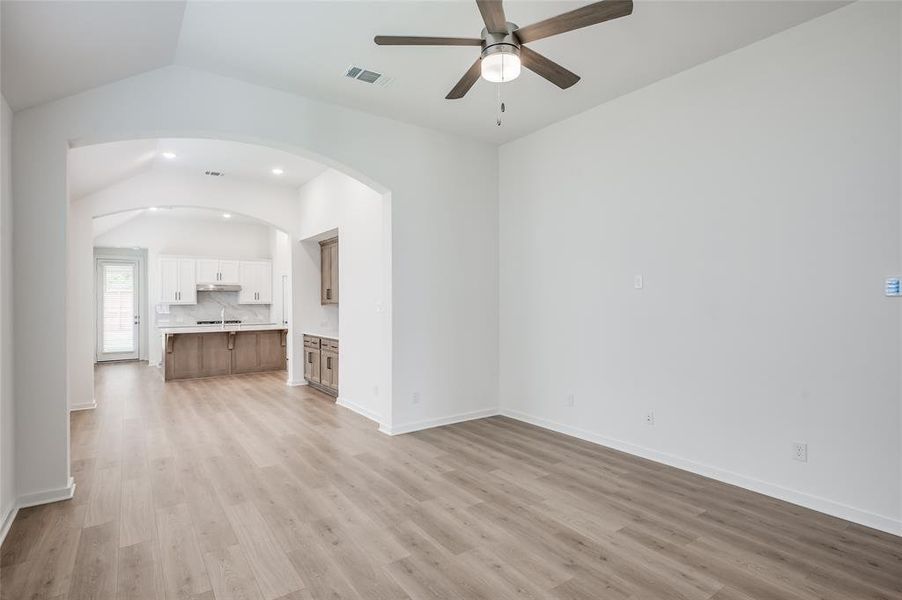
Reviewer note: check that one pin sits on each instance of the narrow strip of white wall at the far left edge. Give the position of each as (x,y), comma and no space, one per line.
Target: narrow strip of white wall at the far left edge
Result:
(7,403)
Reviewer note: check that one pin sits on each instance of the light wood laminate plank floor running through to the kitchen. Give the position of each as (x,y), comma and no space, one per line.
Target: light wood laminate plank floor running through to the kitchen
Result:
(244,488)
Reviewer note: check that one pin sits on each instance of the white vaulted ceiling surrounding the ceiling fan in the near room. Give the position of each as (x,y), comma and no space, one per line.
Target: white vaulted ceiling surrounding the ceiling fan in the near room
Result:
(305,47)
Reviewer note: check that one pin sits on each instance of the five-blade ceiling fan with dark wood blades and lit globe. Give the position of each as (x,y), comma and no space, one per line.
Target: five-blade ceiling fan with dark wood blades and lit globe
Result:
(502,43)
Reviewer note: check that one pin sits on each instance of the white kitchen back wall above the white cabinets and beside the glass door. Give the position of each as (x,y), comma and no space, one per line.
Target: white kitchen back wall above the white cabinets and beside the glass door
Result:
(164,234)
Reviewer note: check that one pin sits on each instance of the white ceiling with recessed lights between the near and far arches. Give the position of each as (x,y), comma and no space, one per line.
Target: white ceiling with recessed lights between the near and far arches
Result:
(95,167)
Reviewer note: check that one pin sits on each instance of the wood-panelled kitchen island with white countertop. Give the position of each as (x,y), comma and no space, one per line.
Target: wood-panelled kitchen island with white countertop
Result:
(192,352)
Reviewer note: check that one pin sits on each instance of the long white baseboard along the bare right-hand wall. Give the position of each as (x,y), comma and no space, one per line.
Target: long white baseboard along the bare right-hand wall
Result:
(836,509)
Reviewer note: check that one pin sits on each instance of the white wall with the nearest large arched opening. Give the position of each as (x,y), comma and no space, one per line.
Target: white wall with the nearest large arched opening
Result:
(443,192)
